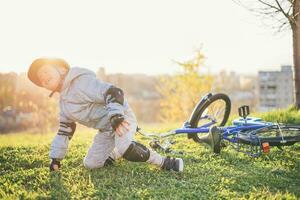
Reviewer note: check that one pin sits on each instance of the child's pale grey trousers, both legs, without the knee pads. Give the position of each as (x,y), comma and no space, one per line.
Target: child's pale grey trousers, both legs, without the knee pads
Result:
(108,144)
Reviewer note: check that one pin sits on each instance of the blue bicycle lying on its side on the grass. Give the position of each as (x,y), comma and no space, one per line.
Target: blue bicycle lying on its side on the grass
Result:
(249,135)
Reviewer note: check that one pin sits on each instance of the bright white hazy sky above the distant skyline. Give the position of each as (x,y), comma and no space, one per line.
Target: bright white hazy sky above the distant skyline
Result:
(138,36)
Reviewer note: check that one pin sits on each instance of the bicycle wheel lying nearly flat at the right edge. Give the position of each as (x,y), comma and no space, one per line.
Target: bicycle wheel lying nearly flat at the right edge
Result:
(275,135)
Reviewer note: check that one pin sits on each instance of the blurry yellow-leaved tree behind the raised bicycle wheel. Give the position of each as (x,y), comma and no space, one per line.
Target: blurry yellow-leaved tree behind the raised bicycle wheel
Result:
(182,91)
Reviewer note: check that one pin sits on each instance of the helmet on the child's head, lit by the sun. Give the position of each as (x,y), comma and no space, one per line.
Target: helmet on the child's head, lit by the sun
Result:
(38,63)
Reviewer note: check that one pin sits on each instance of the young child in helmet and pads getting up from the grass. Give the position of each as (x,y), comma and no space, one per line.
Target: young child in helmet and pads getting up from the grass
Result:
(86,100)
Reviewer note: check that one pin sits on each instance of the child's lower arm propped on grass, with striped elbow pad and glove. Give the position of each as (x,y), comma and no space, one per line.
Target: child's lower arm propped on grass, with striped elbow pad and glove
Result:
(60,143)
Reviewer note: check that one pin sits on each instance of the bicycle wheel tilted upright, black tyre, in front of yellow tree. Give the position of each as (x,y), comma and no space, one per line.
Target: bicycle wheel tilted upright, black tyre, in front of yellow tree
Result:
(216,108)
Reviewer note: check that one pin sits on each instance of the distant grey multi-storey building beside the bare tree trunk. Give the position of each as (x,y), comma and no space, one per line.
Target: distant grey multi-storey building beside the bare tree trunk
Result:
(276,88)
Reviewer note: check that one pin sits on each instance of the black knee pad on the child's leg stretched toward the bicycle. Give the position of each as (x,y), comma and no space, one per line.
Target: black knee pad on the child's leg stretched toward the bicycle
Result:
(137,152)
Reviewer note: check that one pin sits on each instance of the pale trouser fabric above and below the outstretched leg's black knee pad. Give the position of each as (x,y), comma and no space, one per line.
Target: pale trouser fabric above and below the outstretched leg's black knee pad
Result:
(123,142)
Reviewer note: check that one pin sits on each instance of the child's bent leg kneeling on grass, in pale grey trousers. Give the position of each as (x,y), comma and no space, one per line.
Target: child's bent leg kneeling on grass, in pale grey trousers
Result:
(99,151)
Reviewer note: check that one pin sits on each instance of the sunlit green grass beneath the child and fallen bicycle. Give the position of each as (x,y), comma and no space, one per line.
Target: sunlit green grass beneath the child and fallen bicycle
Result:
(24,172)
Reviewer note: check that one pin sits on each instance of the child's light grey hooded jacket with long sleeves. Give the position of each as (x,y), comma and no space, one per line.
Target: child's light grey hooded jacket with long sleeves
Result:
(82,100)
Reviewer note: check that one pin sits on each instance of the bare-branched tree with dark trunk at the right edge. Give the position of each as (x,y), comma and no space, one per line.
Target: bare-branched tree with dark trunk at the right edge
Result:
(282,15)
